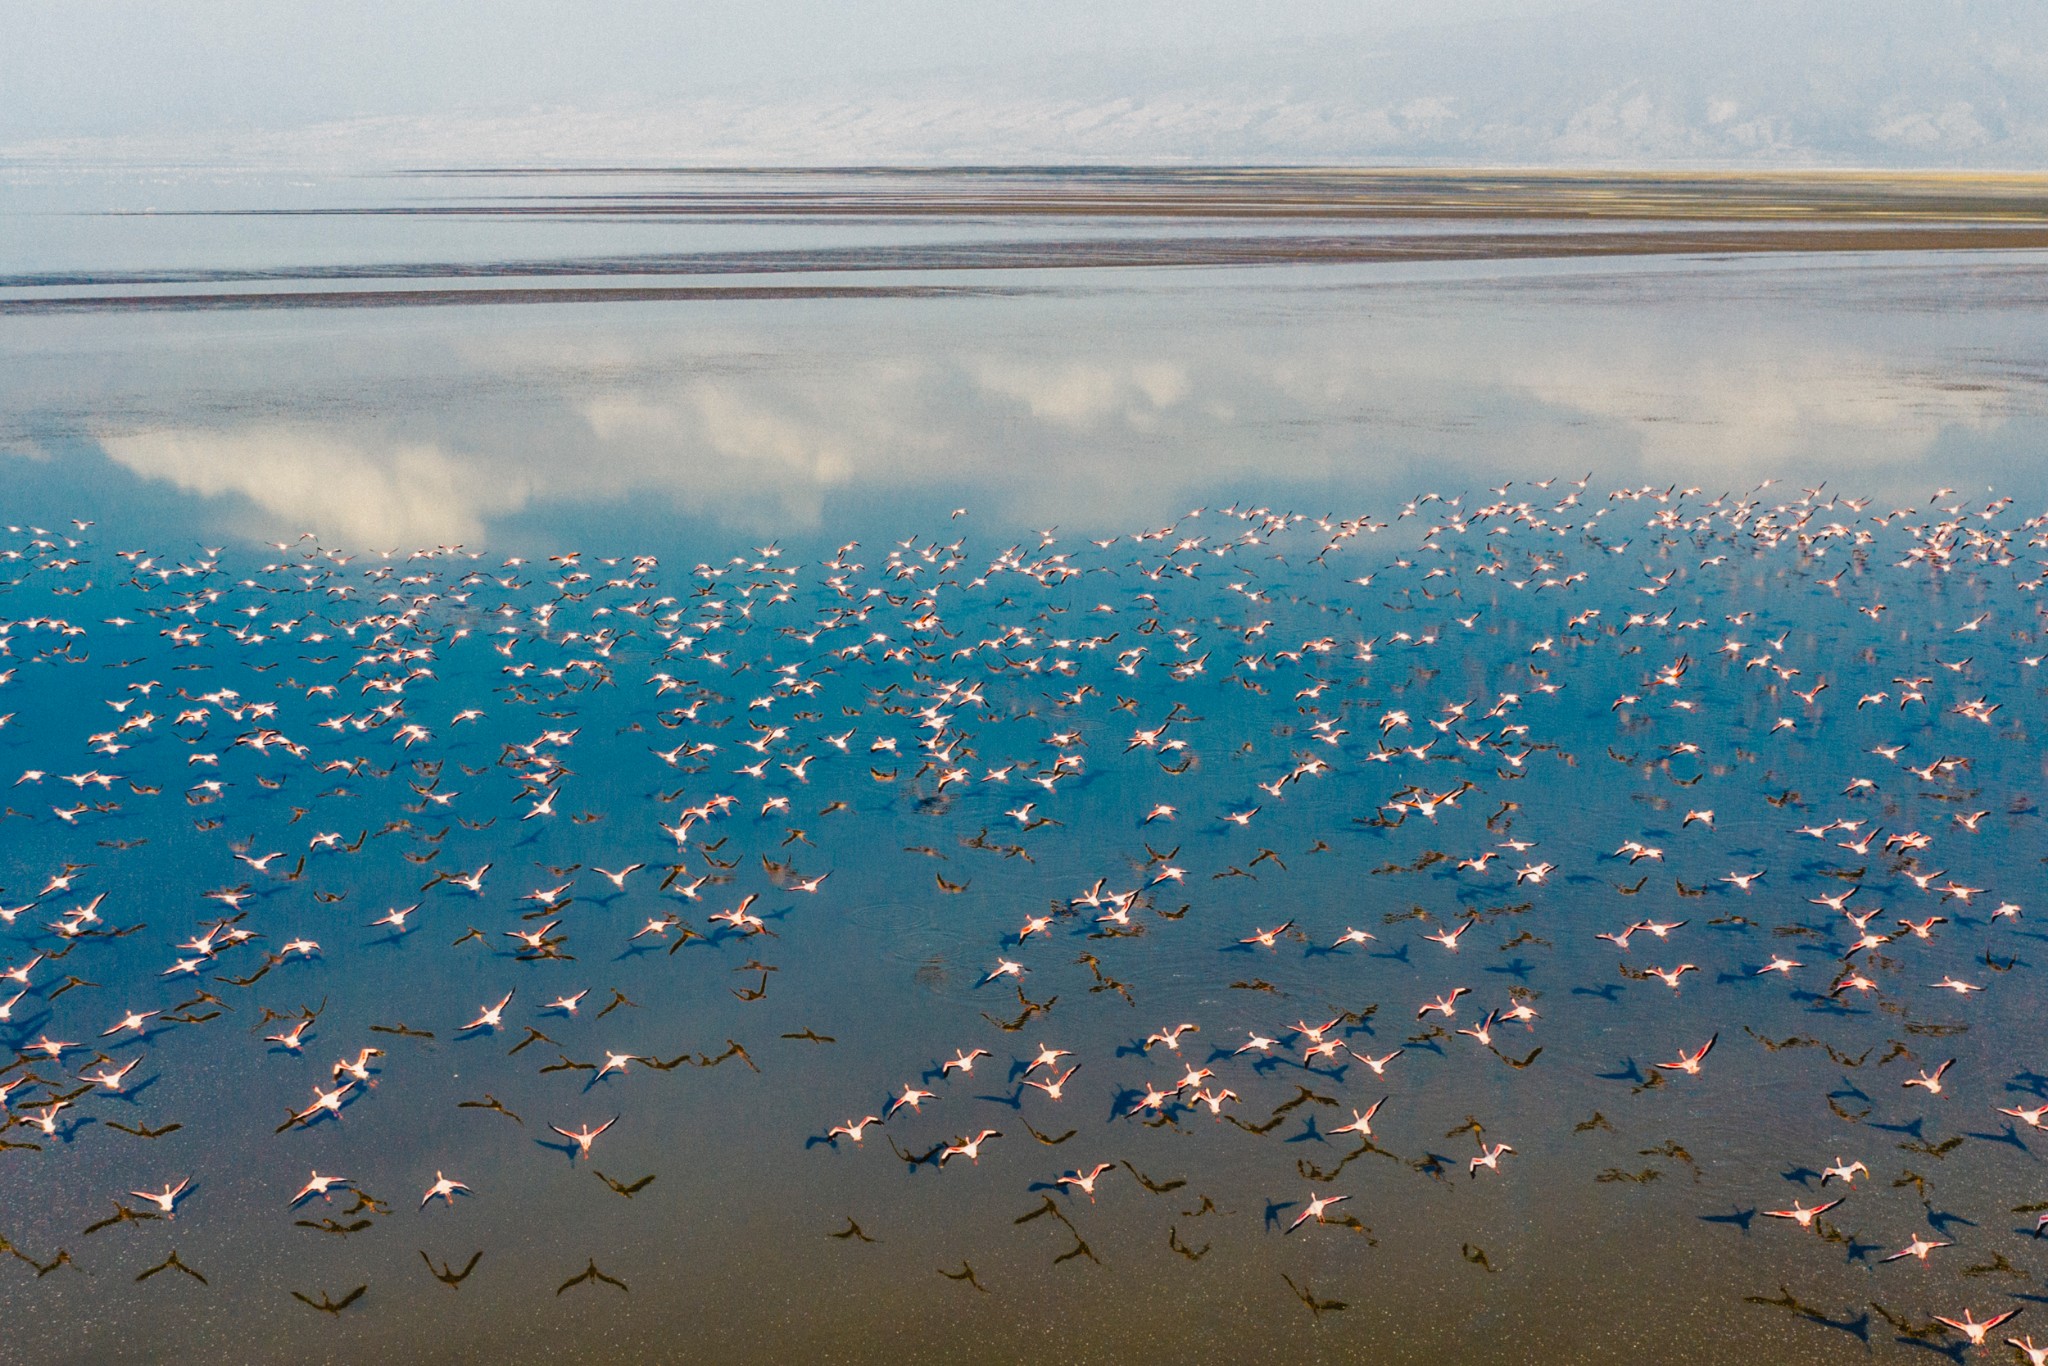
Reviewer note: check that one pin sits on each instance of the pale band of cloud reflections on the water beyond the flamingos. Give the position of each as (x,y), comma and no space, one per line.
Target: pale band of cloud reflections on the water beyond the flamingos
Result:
(1099,411)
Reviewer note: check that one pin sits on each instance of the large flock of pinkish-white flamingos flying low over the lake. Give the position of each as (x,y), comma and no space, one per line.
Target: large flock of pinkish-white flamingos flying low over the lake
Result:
(1215,867)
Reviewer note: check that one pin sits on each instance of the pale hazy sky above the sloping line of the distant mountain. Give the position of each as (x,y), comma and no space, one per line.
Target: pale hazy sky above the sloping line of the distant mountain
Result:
(105,67)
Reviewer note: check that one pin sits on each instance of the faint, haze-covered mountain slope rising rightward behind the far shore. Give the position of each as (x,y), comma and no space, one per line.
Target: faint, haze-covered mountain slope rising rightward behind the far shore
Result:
(1639,83)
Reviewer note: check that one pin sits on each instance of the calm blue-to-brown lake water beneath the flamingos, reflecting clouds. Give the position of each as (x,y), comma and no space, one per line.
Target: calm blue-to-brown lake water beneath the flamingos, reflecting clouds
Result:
(845,577)
